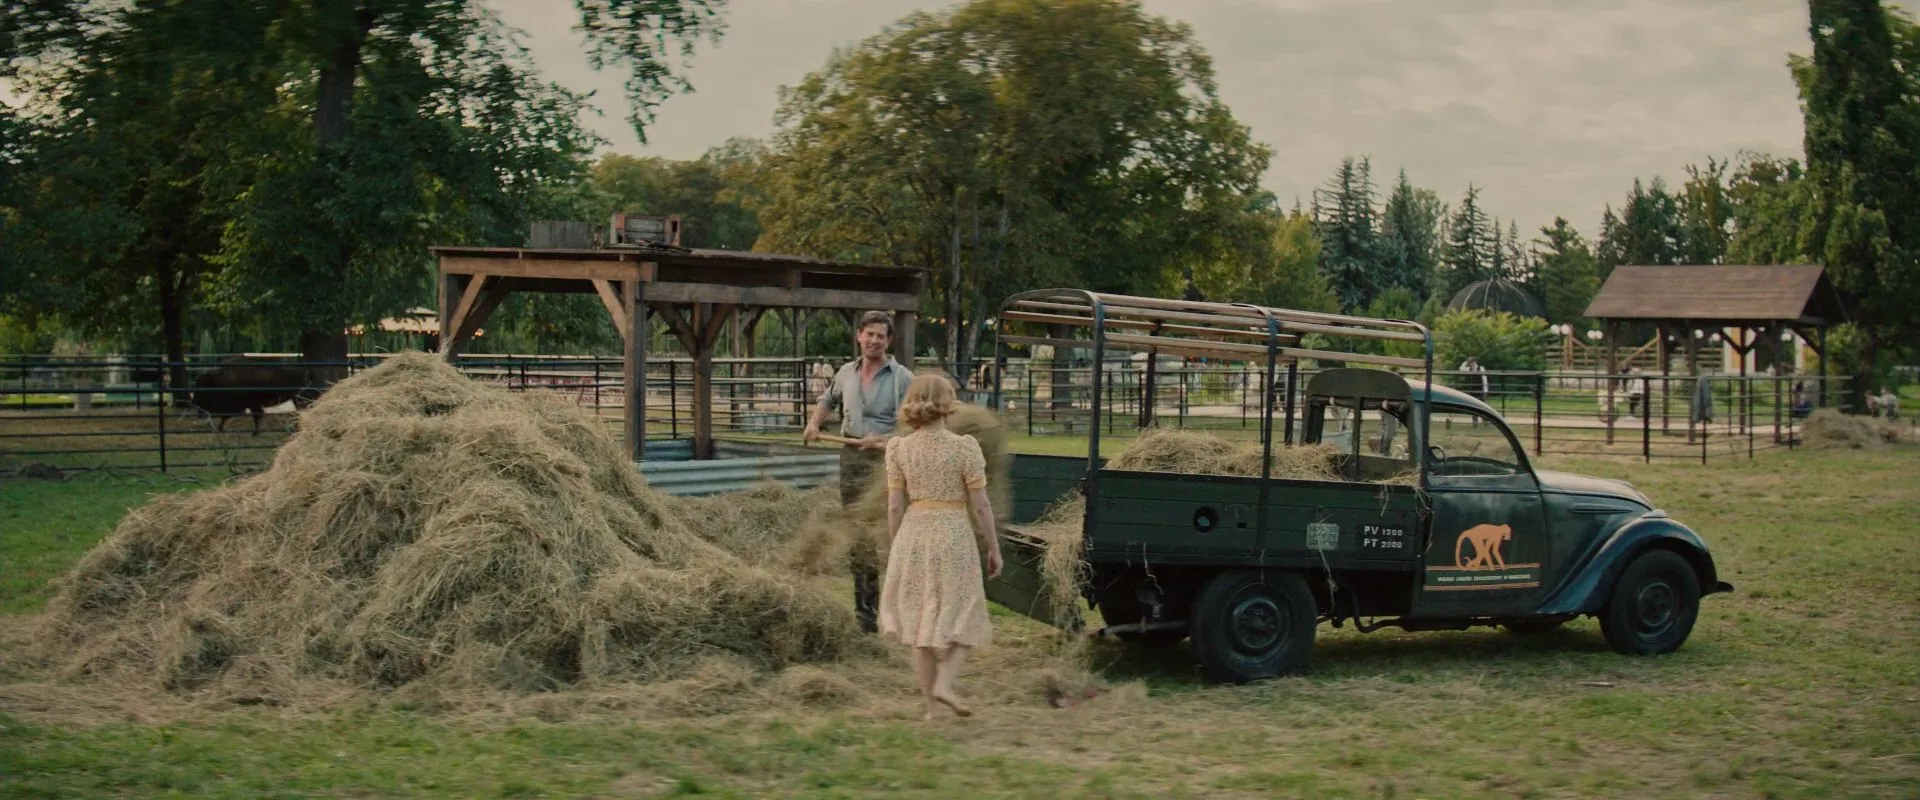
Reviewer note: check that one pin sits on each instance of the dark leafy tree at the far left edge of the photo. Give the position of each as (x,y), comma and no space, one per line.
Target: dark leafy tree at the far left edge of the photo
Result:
(118,206)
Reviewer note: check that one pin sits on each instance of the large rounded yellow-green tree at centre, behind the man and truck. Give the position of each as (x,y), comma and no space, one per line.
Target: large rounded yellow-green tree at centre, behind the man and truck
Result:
(1011,145)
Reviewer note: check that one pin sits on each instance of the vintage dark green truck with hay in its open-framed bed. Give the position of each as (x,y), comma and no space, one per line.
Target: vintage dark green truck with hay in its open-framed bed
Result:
(1247,569)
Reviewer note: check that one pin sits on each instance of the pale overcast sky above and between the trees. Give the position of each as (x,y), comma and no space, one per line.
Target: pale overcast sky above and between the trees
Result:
(1552,106)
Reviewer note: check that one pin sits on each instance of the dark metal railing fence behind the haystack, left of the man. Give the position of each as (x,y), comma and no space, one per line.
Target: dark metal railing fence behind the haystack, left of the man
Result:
(82,413)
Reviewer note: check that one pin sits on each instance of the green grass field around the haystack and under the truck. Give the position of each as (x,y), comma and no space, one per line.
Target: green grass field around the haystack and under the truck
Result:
(1804,682)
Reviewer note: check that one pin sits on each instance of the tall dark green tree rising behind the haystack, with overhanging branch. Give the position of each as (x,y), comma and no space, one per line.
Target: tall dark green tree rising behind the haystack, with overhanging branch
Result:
(418,112)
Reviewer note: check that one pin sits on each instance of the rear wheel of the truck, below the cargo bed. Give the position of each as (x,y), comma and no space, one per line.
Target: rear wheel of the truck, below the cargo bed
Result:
(1253,624)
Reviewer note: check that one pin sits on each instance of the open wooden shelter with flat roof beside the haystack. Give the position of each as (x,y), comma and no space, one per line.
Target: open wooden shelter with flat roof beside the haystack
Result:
(696,293)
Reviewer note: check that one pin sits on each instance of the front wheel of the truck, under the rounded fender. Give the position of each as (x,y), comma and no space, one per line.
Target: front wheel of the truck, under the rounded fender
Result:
(1652,607)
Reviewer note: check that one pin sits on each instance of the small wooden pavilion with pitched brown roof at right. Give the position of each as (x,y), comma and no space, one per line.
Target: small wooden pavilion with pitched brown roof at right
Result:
(1750,306)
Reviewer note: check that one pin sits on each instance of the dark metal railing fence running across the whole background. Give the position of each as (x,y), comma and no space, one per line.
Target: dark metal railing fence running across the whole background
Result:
(82,413)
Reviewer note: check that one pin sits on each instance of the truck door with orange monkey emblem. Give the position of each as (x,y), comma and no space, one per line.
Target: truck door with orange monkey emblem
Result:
(1487,546)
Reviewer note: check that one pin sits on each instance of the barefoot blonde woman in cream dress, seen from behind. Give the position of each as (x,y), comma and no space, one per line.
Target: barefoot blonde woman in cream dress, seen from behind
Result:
(934,598)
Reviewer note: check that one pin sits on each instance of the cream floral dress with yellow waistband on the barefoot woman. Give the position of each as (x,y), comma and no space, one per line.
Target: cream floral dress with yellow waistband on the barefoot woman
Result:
(934,594)
